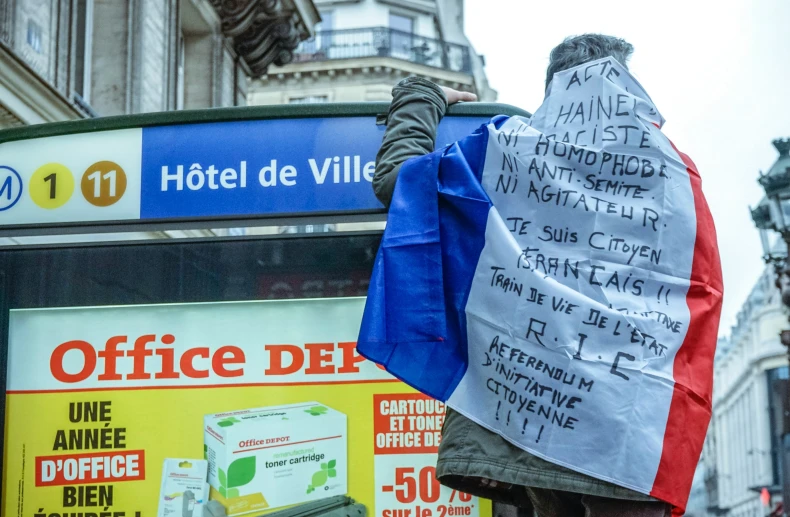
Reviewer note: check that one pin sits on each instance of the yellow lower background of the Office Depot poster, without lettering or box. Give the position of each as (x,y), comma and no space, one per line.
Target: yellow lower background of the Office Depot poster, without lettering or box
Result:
(168,423)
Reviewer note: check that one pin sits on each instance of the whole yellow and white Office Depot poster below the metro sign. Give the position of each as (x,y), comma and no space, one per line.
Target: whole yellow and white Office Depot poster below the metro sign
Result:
(270,397)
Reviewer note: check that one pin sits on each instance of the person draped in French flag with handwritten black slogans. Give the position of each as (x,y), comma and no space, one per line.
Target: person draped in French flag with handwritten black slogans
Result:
(556,280)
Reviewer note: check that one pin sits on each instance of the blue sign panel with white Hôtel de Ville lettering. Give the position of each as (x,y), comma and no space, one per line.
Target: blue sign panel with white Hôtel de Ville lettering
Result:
(267,167)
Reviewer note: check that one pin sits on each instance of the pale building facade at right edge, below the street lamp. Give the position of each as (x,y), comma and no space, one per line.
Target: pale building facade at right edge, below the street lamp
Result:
(743,451)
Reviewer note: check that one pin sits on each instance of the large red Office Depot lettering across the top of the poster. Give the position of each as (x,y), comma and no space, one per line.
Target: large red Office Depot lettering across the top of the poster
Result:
(150,357)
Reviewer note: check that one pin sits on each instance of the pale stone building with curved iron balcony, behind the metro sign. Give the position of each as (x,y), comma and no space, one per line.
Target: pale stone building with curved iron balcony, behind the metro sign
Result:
(363,47)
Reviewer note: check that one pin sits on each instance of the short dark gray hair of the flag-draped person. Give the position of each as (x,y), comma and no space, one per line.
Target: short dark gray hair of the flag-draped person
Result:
(577,50)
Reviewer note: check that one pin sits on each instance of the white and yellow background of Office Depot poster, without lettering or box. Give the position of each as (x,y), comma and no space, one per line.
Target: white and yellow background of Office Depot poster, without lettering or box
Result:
(166,419)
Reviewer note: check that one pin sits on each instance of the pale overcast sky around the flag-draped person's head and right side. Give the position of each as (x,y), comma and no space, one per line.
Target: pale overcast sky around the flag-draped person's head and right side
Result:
(719,72)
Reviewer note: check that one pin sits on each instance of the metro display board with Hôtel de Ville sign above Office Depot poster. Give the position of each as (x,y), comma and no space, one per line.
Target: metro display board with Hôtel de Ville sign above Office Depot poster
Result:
(148,378)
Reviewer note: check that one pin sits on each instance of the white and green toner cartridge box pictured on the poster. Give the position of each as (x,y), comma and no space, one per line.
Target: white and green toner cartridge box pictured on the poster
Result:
(276,456)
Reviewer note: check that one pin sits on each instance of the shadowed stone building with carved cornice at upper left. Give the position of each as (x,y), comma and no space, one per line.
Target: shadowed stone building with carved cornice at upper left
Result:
(69,59)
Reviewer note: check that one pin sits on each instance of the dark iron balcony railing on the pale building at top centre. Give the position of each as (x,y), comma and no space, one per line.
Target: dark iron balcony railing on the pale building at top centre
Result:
(384,42)
